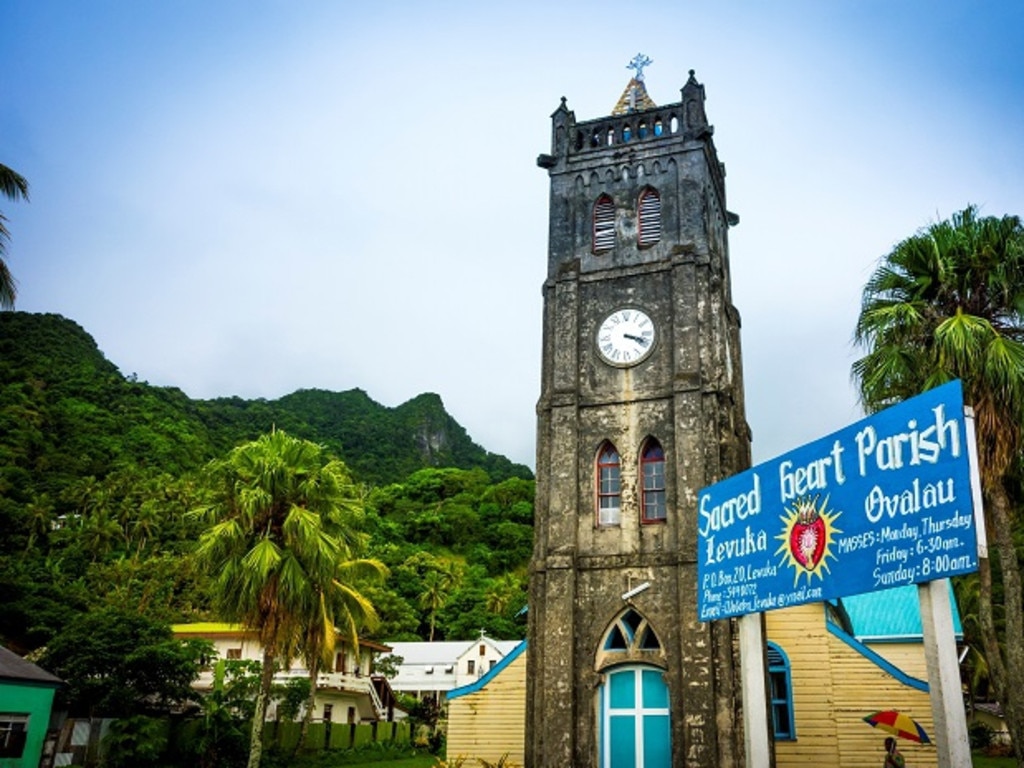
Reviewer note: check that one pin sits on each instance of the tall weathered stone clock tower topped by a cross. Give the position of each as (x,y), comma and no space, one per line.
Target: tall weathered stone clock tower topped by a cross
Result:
(642,406)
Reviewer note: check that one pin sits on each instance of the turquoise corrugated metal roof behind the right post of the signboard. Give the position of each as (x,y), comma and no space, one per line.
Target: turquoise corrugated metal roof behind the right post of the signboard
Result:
(891,616)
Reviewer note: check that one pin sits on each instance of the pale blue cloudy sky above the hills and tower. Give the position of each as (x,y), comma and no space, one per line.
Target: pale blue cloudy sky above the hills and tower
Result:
(250,198)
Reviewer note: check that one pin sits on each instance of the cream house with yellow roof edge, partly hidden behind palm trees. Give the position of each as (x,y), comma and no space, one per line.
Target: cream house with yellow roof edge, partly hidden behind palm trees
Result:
(349,694)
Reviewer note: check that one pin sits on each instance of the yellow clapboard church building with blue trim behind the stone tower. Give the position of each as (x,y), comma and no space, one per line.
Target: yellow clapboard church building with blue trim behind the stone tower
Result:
(830,666)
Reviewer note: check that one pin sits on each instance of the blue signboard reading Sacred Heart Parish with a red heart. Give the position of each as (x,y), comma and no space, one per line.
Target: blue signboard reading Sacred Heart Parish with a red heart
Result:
(883,503)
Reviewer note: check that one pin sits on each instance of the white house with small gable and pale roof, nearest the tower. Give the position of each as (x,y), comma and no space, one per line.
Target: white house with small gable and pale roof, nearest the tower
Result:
(432,670)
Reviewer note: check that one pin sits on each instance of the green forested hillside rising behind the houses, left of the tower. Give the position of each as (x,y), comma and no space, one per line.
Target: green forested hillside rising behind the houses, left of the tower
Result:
(99,474)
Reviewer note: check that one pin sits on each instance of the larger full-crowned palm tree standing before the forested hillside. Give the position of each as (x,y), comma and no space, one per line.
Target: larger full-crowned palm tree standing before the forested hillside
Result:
(276,536)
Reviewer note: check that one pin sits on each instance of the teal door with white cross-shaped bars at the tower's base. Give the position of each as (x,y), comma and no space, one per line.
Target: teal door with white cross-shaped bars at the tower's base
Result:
(635,726)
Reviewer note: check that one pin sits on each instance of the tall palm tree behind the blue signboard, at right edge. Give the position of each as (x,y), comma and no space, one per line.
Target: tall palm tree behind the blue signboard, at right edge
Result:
(949,304)
